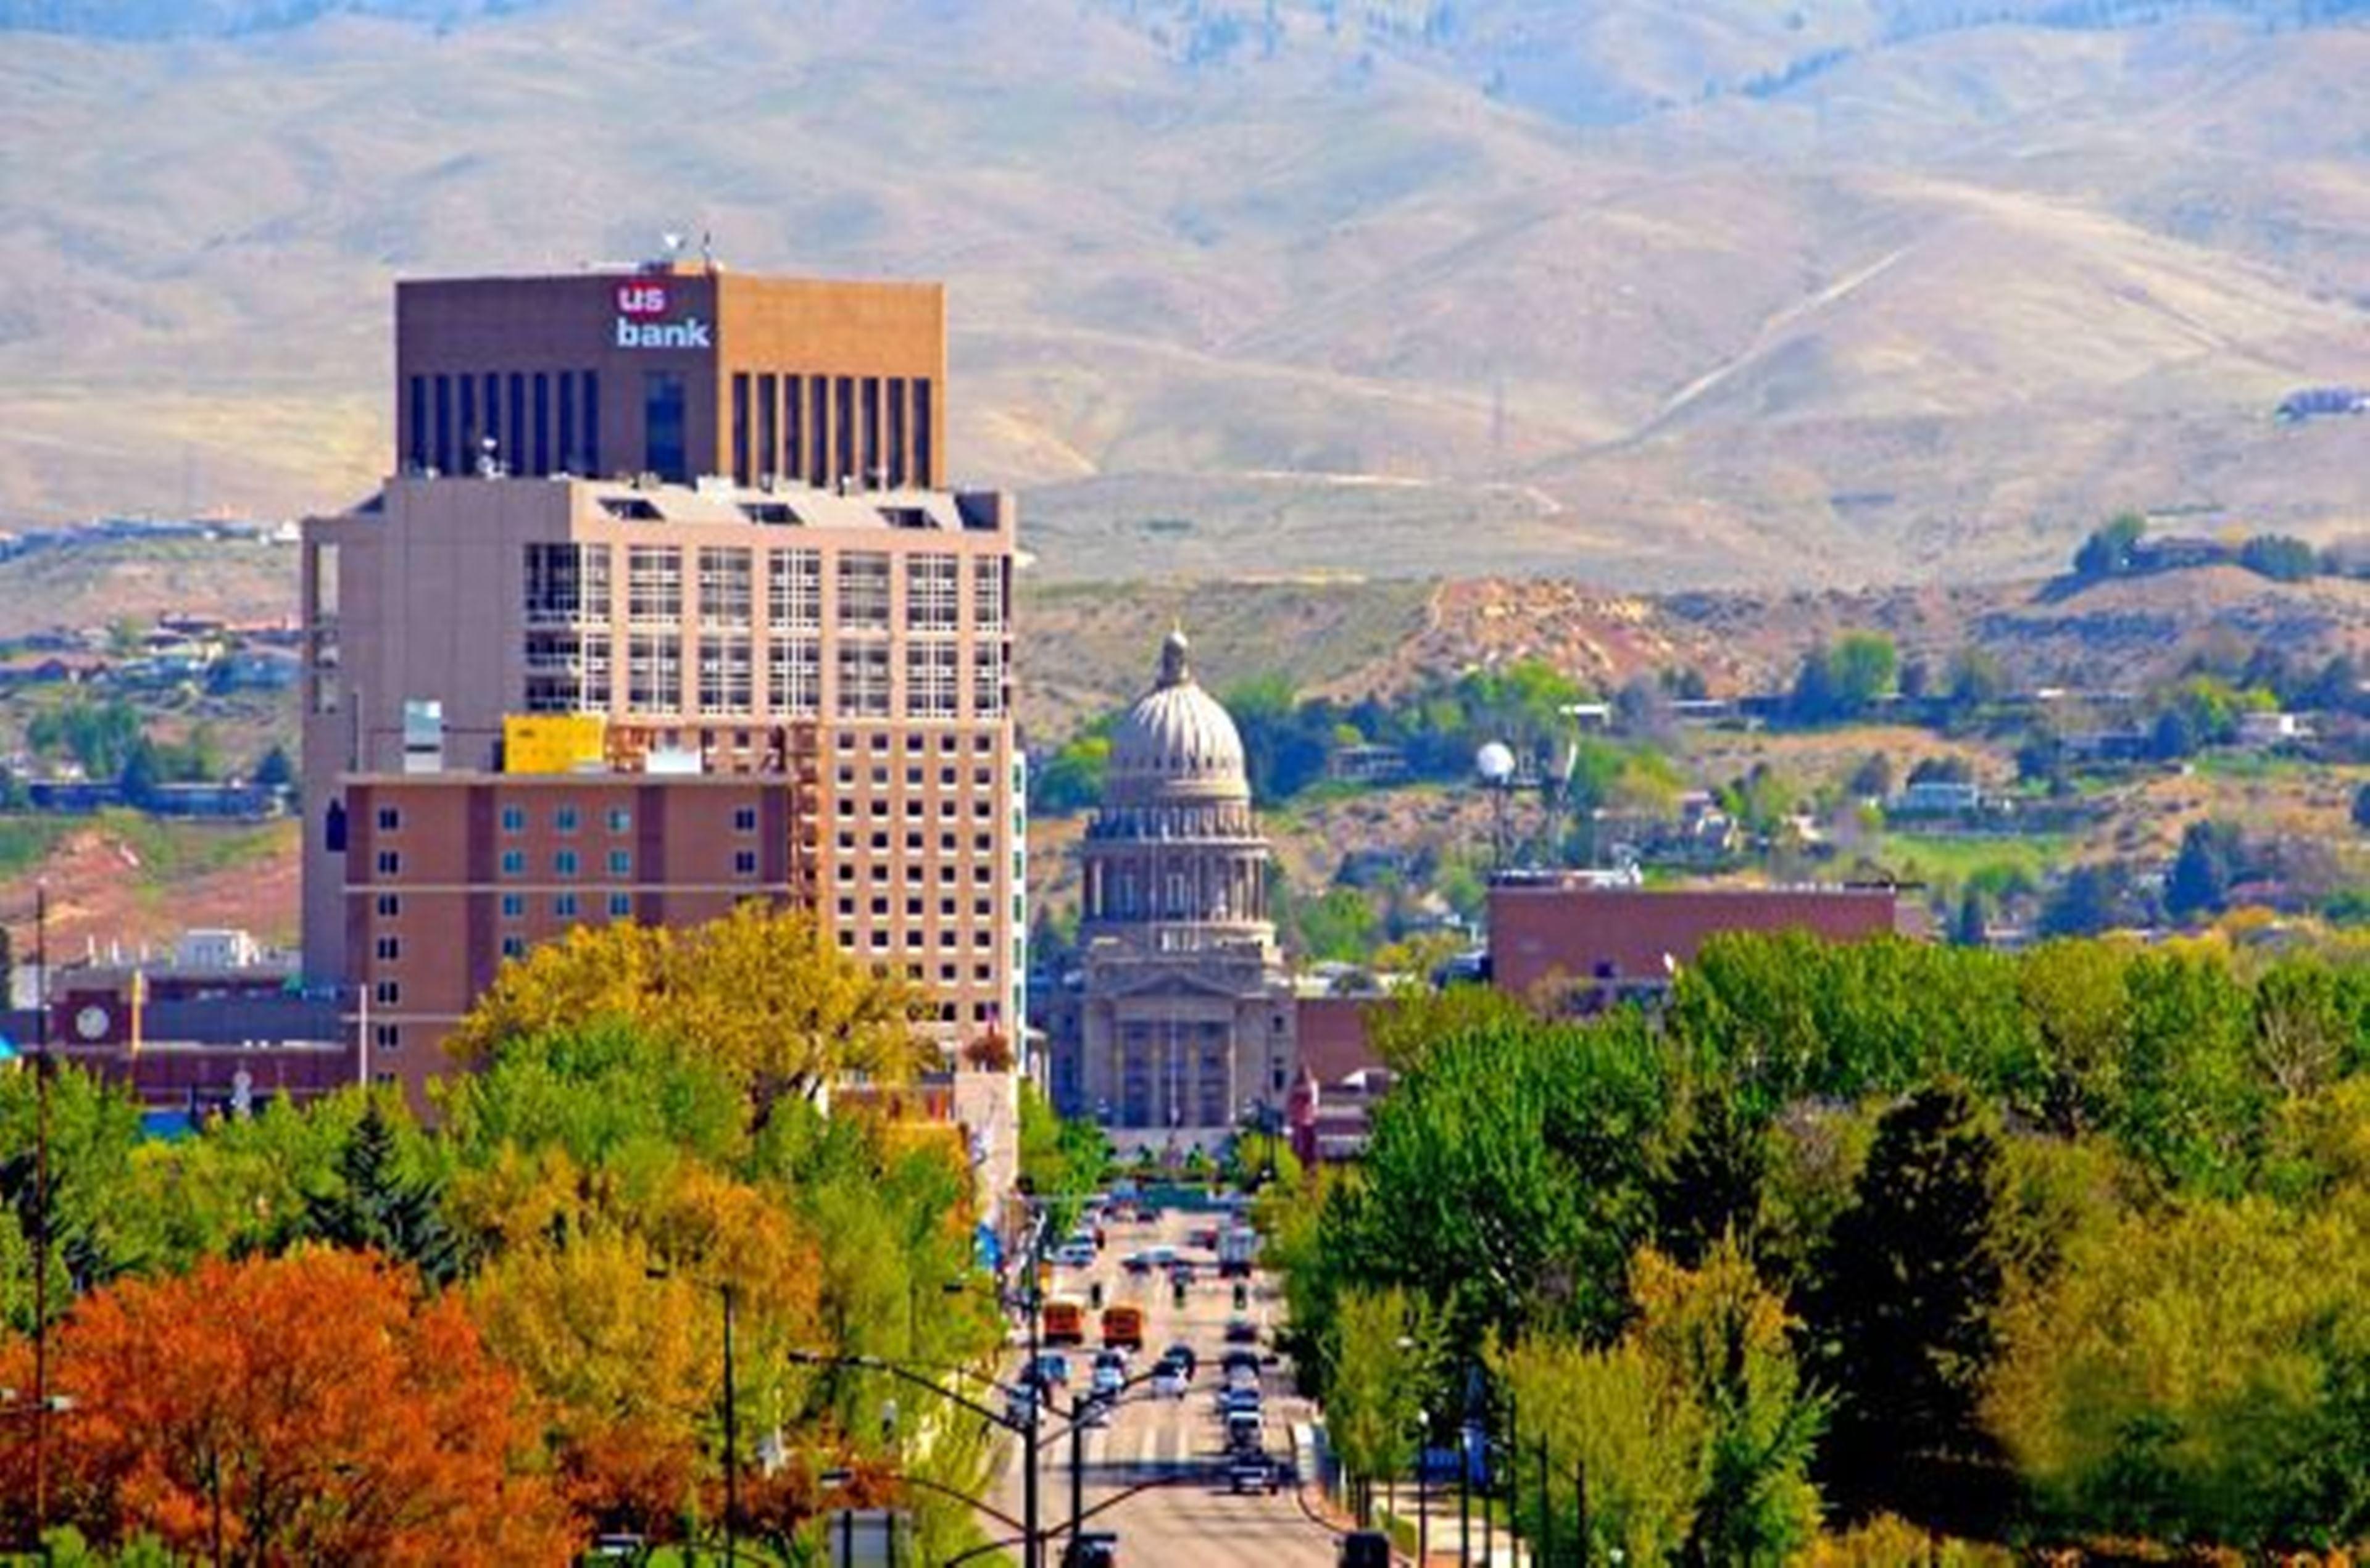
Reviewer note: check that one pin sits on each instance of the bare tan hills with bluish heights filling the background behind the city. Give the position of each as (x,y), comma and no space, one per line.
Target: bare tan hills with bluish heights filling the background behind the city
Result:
(1480,285)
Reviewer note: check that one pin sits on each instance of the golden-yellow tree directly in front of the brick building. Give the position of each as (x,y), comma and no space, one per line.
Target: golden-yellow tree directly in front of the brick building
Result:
(762,994)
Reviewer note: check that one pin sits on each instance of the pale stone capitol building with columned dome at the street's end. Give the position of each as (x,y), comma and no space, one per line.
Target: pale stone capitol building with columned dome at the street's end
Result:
(1181,1015)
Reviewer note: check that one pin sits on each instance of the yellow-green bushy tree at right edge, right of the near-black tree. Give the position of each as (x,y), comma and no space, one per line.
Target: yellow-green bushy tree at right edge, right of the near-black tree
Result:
(2201,1375)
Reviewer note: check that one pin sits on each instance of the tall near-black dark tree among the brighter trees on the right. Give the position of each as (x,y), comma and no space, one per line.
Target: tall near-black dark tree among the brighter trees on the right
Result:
(1904,1318)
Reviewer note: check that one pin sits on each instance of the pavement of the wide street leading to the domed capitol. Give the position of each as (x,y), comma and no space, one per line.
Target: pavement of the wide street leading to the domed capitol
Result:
(1189,1517)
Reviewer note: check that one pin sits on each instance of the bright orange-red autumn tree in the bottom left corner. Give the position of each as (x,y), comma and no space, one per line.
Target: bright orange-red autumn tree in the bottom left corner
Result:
(309,1408)
